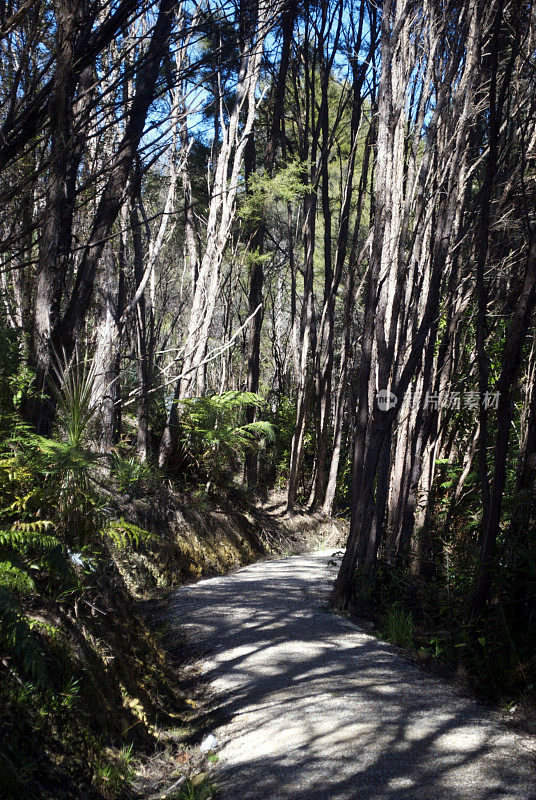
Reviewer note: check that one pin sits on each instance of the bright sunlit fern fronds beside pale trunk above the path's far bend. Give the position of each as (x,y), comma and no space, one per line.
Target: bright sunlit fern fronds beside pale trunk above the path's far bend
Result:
(215,438)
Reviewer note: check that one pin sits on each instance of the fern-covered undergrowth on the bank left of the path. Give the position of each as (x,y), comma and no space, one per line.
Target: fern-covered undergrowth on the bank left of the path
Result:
(82,681)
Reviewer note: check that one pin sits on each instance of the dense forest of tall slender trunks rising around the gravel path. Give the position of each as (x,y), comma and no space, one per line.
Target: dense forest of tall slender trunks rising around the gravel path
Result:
(269,249)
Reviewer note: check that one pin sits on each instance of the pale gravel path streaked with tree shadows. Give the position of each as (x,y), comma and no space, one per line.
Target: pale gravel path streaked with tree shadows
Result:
(313,708)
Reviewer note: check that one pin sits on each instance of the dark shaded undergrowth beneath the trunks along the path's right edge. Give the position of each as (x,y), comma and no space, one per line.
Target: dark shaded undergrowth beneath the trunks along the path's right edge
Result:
(428,613)
